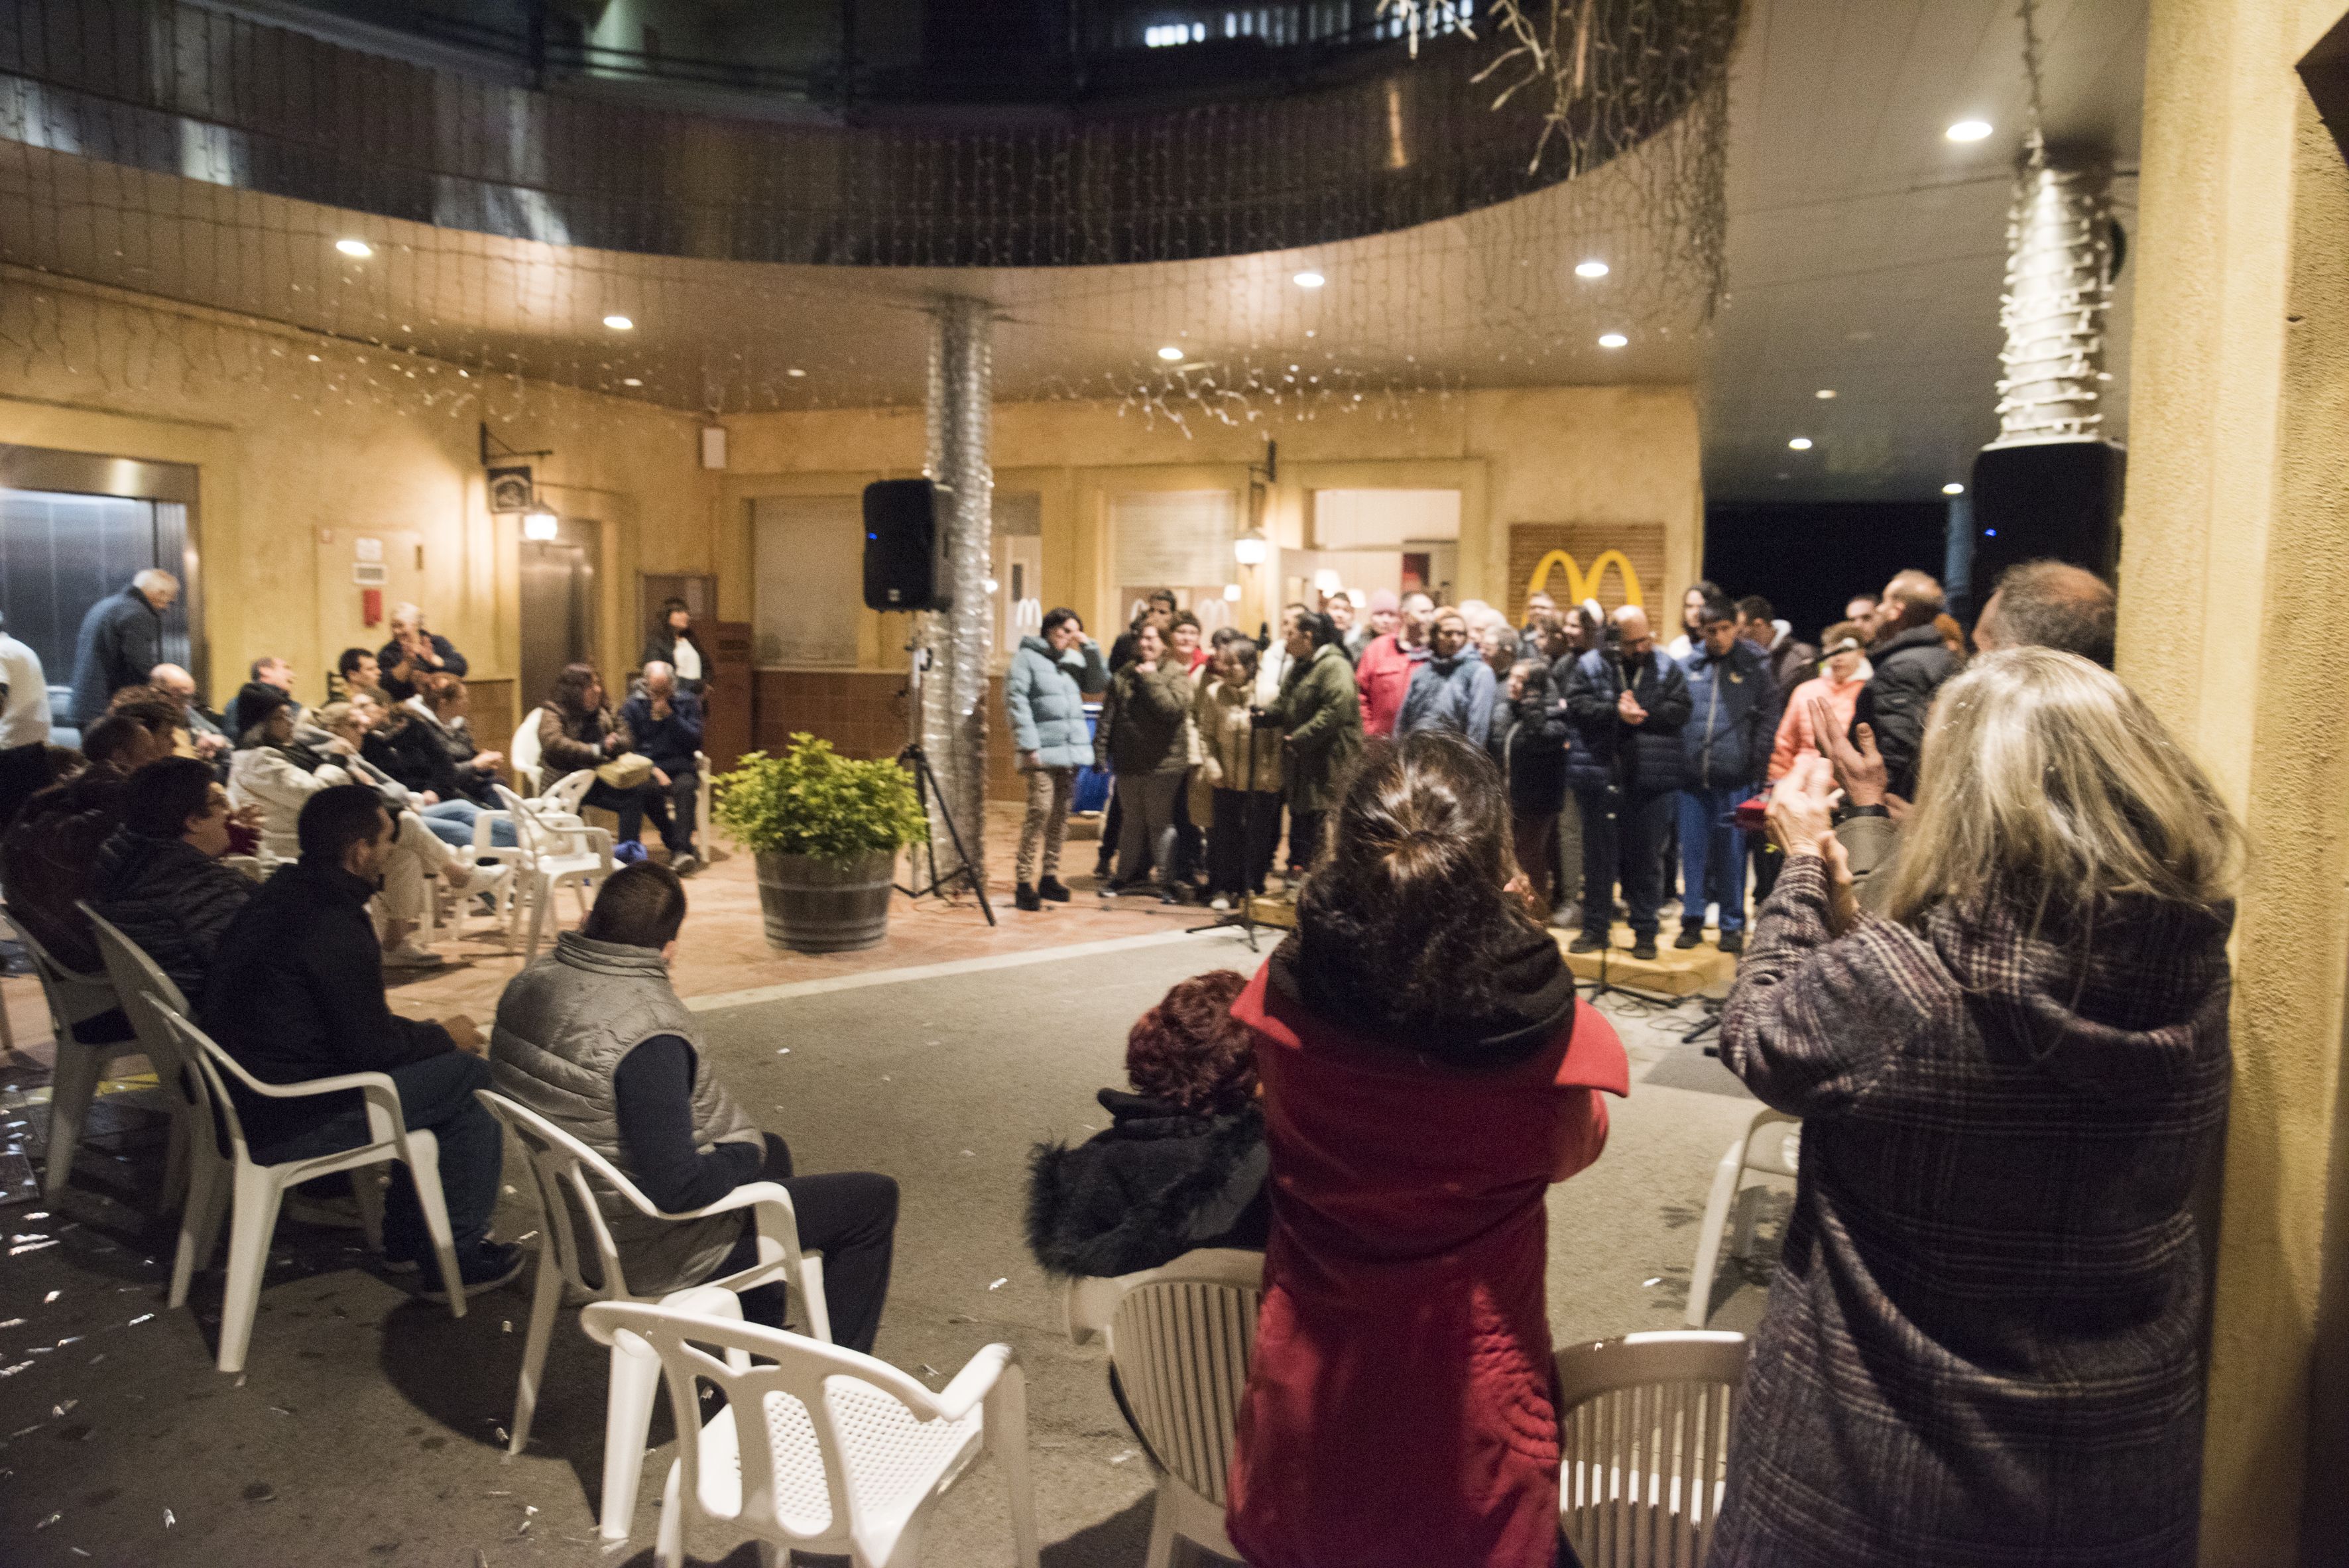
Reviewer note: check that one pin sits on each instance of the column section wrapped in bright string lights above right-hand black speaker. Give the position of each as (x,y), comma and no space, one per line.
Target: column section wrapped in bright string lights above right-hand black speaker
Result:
(2059,285)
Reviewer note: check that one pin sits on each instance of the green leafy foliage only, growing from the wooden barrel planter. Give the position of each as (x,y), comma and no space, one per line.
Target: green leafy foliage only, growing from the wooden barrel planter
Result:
(816,802)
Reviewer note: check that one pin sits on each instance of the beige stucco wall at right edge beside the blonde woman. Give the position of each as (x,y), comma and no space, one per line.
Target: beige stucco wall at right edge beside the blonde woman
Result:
(2235,562)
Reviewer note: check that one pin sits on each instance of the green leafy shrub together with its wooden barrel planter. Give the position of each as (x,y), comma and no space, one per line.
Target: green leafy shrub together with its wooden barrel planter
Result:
(826,832)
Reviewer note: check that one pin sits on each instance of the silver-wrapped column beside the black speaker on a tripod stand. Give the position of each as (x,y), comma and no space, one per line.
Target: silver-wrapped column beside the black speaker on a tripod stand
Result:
(962,640)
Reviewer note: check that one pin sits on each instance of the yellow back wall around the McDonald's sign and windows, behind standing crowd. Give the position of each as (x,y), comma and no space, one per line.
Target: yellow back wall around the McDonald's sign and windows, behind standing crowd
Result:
(1540,457)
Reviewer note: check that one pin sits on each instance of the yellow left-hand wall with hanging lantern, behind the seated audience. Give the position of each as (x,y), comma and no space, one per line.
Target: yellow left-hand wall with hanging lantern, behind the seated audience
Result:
(354,442)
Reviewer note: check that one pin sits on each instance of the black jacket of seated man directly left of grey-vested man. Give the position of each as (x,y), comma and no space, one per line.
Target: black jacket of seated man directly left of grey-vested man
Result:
(297,994)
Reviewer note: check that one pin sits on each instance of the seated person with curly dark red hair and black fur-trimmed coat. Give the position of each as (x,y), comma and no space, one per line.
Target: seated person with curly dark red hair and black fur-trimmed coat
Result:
(1183,1158)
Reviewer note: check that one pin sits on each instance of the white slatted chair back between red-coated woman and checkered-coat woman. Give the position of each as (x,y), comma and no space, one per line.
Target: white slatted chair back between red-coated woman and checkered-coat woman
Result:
(1643,1435)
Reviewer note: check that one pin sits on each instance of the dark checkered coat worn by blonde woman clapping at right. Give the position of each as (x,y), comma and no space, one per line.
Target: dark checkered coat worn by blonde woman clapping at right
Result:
(1981,1349)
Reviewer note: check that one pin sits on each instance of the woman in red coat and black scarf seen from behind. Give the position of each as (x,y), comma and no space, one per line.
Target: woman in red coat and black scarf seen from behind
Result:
(1427,1076)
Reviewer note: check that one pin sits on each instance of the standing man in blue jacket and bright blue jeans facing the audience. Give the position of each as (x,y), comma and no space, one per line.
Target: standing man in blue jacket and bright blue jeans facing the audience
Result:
(1732,724)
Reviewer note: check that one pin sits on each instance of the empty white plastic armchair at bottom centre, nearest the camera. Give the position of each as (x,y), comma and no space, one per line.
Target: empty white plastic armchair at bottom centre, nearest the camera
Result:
(854,1454)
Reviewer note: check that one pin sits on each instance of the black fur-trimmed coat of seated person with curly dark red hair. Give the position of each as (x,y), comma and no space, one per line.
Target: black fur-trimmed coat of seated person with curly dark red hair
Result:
(1159,1184)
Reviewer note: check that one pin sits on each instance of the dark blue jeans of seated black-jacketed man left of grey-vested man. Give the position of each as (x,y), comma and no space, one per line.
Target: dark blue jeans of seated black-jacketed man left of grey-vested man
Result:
(436,1095)
